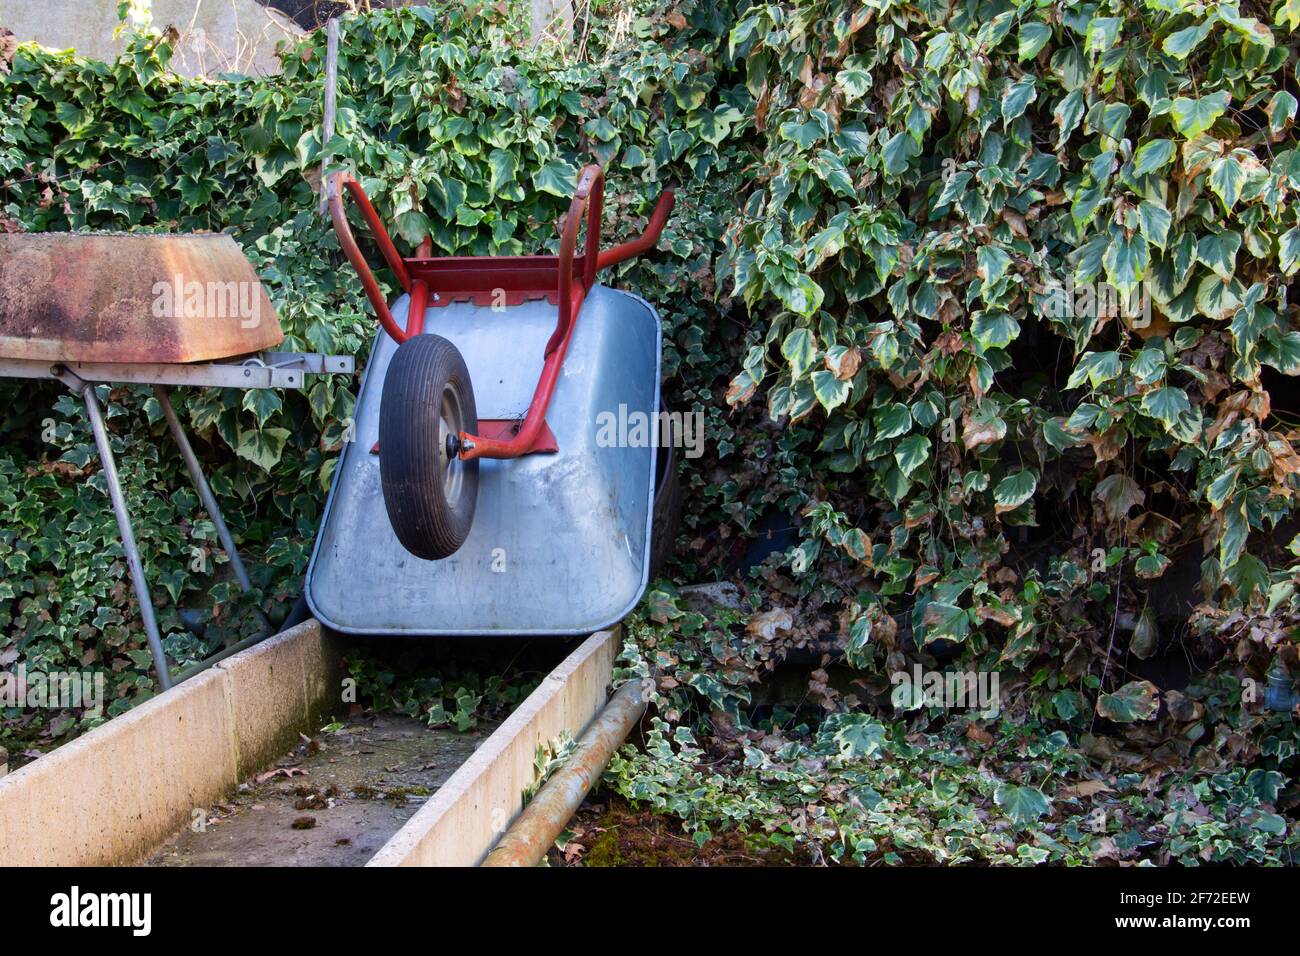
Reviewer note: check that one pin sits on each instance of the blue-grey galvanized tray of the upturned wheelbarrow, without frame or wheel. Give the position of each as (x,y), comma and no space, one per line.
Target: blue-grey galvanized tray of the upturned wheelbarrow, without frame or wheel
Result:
(561,544)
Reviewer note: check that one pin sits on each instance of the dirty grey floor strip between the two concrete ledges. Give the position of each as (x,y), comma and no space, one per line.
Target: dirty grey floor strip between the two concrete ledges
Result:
(333,802)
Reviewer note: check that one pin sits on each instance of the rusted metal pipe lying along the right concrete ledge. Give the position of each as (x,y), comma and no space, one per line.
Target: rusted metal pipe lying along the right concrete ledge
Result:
(536,829)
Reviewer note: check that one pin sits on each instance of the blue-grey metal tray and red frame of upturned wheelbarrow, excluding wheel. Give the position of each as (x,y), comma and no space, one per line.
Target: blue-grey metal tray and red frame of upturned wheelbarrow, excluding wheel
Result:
(561,539)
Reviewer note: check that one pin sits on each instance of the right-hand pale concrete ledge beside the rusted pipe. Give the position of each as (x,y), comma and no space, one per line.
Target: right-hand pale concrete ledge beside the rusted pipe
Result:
(463,821)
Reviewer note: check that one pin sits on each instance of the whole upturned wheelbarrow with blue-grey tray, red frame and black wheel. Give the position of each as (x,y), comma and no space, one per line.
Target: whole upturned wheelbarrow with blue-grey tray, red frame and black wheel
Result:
(470,500)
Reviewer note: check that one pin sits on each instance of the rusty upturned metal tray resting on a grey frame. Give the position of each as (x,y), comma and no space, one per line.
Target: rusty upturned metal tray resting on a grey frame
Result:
(127,297)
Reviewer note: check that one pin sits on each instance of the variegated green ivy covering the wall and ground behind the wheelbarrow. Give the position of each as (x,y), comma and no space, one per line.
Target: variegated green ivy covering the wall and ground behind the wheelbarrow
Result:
(878,209)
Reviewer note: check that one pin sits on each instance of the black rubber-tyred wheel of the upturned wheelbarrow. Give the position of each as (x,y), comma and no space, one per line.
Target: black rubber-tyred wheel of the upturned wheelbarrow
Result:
(430,494)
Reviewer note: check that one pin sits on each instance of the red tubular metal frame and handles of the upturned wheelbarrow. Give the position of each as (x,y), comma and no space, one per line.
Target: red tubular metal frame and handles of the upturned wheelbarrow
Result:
(562,280)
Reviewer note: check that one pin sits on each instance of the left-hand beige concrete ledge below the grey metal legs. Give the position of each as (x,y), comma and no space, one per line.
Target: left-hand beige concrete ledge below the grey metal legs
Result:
(111,797)
